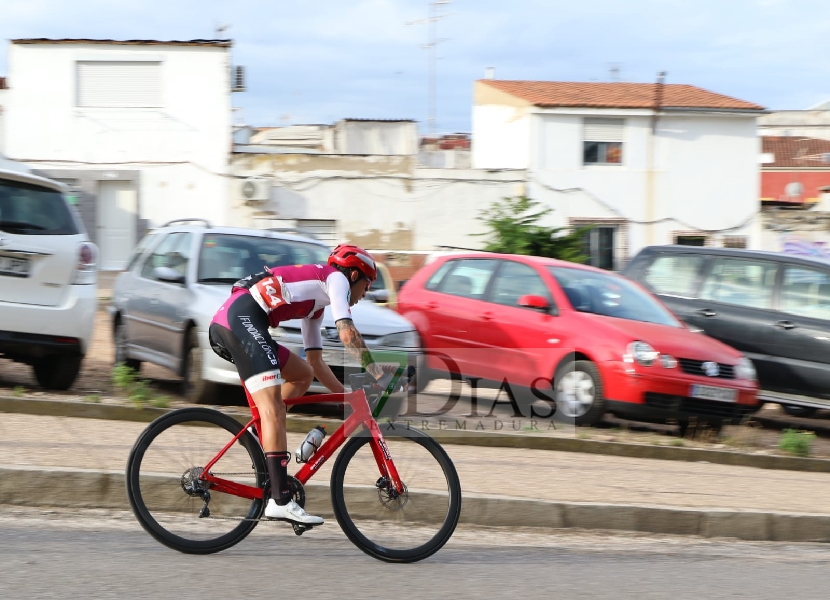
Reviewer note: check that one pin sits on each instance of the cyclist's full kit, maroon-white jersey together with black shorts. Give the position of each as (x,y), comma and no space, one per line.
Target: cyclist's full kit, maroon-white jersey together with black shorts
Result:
(239,329)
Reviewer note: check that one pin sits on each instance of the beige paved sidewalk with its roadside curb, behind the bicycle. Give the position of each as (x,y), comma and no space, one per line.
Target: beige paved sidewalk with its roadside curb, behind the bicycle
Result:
(42,456)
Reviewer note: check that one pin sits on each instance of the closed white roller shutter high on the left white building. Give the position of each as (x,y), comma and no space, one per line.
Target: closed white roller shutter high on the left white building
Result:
(125,84)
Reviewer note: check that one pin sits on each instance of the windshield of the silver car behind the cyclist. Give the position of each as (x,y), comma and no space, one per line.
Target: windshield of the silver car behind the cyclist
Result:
(227,258)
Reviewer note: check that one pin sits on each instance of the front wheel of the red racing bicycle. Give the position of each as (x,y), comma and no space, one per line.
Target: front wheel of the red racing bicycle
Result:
(405,527)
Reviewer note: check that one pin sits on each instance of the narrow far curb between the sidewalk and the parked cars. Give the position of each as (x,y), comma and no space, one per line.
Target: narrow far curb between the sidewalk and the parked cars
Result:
(298,424)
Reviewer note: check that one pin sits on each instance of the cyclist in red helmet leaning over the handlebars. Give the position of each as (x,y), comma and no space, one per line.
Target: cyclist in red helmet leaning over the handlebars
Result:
(270,372)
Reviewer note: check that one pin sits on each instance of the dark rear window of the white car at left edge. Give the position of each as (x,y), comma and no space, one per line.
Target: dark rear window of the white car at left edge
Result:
(27,209)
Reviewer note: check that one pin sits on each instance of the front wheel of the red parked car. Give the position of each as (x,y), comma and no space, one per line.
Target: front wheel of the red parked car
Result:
(579,393)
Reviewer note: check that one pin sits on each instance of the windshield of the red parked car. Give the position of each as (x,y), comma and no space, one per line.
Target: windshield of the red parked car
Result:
(611,296)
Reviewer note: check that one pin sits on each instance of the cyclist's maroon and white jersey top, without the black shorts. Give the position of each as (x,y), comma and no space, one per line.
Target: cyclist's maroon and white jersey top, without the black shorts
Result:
(300,292)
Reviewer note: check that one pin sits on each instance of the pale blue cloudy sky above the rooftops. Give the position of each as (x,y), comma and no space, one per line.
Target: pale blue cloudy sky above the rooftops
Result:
(324,60)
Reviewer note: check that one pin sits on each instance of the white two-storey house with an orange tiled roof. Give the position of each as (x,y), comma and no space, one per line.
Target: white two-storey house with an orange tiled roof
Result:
(644,163)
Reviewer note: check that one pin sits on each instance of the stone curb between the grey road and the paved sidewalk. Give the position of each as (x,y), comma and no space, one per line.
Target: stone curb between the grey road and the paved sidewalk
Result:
(86,488)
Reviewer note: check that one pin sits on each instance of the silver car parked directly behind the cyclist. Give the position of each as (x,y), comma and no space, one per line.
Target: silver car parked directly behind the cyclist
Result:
(181,273)
